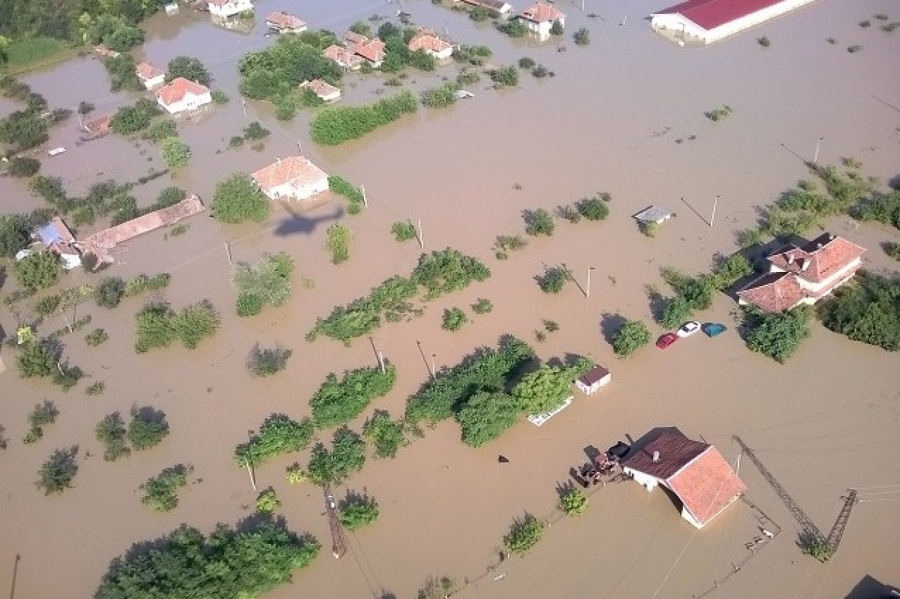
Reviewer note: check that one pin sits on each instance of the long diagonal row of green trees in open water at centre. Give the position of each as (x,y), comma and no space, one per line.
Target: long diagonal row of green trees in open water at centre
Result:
(437,273)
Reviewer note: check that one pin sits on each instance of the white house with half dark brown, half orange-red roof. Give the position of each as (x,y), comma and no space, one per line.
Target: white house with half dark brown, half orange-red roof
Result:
(695,472)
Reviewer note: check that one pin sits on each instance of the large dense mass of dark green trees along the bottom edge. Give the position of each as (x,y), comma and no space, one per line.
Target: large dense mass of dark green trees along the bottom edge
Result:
(242,562)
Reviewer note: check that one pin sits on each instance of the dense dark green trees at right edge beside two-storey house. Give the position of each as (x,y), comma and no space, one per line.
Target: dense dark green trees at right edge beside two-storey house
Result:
(867,311)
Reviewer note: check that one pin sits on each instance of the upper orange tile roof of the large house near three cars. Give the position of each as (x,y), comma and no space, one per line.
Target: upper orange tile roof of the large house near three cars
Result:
(819,259)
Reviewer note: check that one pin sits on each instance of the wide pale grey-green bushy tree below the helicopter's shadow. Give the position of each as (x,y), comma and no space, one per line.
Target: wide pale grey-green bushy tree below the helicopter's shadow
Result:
(267,282)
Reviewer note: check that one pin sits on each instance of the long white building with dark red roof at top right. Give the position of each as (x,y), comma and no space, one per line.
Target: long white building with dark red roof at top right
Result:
(707,21)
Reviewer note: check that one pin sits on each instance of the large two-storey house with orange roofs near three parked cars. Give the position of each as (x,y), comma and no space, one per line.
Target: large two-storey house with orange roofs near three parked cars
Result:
(803,274)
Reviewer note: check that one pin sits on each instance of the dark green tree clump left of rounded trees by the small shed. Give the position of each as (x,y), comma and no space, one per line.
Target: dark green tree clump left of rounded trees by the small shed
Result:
(486,370)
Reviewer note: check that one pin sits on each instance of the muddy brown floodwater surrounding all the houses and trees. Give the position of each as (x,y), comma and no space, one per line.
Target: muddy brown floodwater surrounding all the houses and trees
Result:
(623,115)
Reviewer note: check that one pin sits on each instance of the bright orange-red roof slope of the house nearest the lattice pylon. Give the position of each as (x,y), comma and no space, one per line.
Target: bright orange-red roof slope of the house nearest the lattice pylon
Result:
(706,486)
